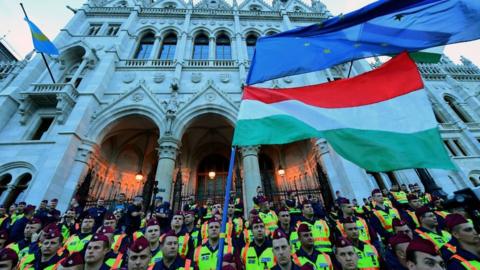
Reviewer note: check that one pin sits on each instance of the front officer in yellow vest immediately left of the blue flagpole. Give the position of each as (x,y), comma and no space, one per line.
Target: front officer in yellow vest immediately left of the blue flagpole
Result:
(205,255)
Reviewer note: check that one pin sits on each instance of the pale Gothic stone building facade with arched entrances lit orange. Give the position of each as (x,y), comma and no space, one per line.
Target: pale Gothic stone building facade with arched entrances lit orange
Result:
(152,88)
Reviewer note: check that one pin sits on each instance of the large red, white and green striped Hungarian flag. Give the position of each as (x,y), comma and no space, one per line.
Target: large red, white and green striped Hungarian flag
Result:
(381,120)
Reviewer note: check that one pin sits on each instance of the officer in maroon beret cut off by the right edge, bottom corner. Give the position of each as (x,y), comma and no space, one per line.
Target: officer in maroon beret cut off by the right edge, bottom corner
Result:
(467,254)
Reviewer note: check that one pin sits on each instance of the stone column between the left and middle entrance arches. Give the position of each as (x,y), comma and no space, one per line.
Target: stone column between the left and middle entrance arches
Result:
(167,155)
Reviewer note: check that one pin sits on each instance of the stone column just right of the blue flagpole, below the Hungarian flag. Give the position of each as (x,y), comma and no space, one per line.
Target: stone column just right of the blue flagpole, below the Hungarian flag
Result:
(251,174)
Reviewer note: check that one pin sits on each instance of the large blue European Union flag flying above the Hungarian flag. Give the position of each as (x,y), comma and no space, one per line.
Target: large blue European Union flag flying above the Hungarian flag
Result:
(385,27)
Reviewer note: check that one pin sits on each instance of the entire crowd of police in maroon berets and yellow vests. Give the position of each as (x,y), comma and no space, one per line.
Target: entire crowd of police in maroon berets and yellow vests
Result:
(403,228)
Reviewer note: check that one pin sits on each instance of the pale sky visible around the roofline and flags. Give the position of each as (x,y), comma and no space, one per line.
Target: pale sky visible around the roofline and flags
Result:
(52,15)
